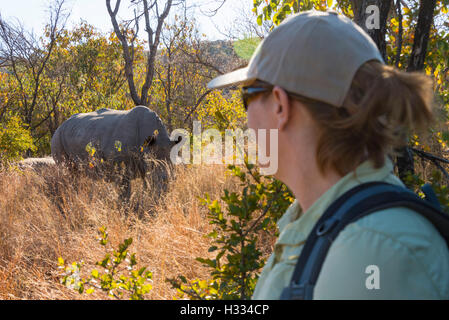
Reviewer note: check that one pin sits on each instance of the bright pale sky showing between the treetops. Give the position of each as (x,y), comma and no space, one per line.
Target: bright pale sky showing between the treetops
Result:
(33,13)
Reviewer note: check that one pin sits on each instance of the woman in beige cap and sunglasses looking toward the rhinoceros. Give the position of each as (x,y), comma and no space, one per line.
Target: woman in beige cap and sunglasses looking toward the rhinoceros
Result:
(340,112)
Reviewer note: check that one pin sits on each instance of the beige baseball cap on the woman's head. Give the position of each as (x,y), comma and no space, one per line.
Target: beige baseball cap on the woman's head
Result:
(314,54)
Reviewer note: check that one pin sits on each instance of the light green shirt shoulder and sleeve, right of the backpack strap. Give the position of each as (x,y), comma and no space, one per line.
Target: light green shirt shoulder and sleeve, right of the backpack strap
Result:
(406,250)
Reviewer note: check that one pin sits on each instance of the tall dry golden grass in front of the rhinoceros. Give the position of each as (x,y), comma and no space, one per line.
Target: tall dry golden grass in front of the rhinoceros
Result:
(45,216)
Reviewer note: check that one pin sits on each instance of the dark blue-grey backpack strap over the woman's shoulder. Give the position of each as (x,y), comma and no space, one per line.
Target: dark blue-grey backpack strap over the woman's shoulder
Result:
(354,204)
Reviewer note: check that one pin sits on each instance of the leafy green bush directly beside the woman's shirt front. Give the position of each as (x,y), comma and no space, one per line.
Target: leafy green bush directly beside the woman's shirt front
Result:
(238,259)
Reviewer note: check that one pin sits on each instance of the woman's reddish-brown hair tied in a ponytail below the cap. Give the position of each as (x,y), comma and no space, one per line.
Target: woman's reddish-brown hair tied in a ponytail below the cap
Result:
(382,107)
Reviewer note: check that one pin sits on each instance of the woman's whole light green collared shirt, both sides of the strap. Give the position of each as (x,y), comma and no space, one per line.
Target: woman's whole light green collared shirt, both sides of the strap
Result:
(411,257)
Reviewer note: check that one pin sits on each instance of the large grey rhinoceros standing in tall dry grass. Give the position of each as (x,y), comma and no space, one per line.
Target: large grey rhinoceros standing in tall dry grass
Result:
(114,137)
